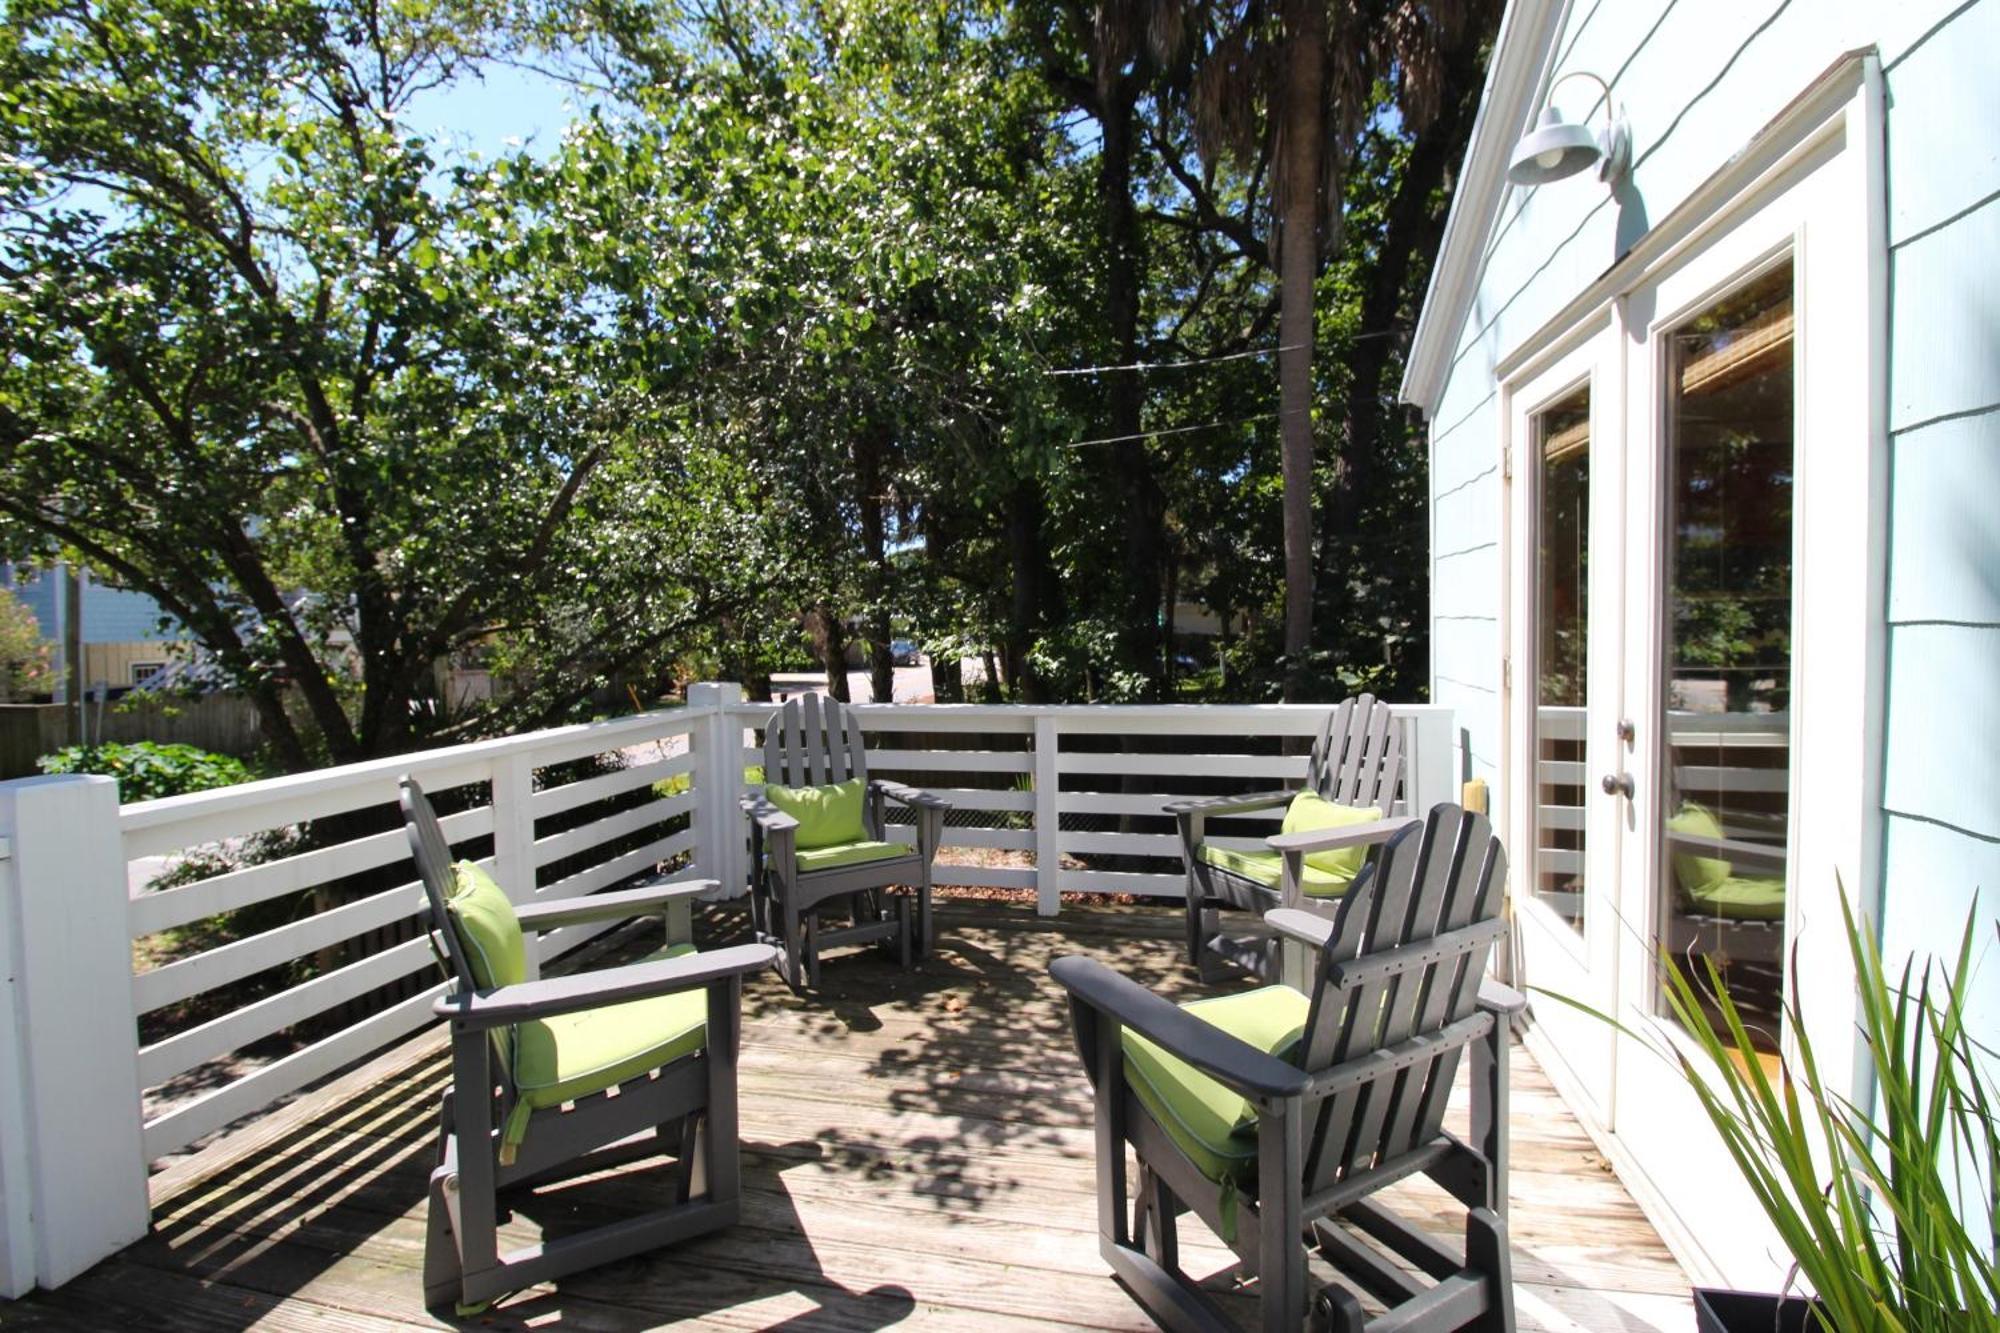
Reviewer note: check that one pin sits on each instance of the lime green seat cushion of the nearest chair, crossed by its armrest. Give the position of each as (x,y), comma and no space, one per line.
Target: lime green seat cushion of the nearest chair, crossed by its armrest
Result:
(1209,1122)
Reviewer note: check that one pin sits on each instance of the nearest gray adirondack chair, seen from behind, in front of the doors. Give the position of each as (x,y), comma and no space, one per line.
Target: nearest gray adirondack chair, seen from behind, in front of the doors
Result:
(1339,1092)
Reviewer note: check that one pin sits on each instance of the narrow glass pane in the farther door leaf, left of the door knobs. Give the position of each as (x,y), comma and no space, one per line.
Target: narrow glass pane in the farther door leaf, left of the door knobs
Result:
(1561,439)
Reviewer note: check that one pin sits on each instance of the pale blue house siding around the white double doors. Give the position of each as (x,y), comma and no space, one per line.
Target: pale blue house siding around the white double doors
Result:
(1697,81)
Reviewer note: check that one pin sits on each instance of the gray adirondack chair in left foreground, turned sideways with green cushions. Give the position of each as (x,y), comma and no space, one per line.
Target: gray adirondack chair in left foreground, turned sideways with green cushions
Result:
(657,1052)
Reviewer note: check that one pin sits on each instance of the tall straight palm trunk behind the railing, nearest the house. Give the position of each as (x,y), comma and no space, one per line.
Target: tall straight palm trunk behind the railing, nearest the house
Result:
(1299,265)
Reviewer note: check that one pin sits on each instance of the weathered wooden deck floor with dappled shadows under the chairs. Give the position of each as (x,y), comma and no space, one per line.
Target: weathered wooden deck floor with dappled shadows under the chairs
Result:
(917,1150)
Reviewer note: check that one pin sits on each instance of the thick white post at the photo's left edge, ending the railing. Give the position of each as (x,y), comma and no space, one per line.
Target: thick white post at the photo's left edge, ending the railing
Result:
(73,1166)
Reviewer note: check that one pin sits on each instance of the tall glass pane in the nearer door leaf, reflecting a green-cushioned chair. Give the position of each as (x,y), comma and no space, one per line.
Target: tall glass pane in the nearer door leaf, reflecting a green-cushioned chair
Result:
(1727,663)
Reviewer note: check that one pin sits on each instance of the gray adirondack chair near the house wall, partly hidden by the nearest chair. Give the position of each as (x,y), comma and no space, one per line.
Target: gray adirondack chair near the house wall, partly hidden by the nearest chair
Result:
(1357,762)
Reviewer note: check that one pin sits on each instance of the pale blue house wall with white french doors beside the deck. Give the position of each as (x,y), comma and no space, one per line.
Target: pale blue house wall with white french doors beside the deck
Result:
(1715,457)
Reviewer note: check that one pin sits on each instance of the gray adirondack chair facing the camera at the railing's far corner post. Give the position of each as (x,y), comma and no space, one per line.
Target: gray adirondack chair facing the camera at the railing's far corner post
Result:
(815,742)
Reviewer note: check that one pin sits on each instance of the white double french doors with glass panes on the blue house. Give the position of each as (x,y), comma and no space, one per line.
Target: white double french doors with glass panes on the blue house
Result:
(1695,499)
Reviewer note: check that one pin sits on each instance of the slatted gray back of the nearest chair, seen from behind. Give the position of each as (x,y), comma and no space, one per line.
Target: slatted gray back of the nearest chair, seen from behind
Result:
(1405,960)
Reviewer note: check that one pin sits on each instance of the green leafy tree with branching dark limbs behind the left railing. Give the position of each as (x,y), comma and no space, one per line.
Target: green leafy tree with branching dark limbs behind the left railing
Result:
(341,407)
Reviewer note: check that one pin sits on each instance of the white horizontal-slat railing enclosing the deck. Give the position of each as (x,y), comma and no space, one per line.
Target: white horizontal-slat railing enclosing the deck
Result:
(1059,788)
